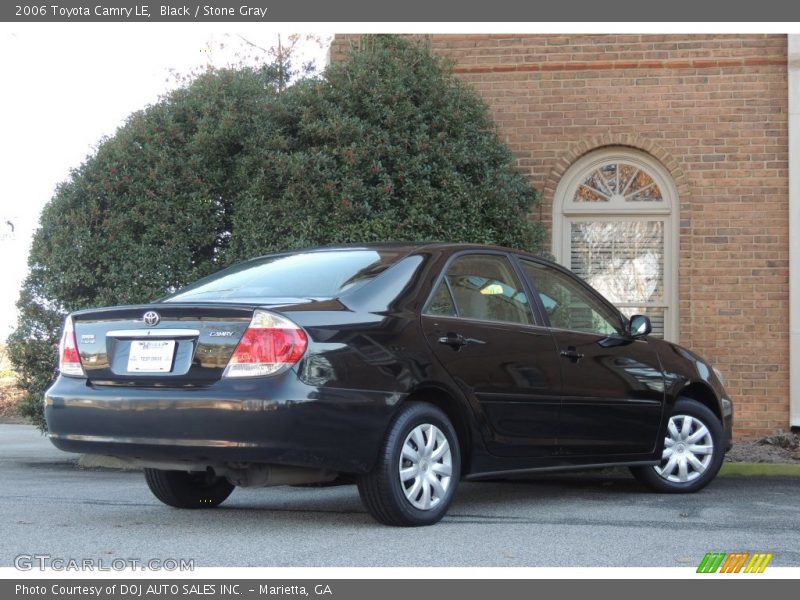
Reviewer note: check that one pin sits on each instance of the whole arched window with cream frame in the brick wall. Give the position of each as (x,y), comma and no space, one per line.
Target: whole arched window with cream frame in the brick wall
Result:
(615,225)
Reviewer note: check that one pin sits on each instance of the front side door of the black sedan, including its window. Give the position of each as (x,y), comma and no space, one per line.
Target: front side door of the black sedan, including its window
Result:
(613,385)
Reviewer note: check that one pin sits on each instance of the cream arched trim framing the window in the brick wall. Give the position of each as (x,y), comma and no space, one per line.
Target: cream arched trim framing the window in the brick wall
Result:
(566,211)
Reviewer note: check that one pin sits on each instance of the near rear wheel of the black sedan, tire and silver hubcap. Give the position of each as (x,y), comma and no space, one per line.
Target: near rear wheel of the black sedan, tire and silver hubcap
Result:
(394,502)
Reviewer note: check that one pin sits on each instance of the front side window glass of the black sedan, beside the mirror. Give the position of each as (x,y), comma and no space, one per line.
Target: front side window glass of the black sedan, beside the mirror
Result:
(567,303)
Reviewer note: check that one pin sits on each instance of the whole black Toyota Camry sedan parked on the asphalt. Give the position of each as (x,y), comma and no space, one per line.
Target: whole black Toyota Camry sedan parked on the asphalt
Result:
(406,366)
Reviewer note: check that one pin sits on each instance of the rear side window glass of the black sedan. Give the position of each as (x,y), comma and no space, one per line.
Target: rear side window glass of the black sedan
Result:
(484,287)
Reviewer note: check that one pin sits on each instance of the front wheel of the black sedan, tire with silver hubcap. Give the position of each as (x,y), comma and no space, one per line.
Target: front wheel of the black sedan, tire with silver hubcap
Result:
(670,477)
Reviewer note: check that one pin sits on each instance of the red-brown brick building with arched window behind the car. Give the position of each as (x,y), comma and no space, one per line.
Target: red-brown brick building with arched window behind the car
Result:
(663,162)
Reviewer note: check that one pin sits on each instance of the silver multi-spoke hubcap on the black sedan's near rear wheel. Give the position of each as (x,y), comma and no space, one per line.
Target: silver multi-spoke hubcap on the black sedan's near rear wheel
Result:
(426,465)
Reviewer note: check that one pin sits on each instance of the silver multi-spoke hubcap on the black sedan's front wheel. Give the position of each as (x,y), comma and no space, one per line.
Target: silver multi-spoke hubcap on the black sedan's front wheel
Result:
(688,450)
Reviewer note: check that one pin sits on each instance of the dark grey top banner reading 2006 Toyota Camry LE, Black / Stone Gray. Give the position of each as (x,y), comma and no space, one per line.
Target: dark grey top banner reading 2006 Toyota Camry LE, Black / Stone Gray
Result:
(465,11)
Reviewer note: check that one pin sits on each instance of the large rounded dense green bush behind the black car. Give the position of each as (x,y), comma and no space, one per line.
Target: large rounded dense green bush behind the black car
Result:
(387,145)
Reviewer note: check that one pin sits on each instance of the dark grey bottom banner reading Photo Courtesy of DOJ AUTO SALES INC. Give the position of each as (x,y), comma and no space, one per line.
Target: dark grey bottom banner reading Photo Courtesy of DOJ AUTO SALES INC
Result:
(731,588)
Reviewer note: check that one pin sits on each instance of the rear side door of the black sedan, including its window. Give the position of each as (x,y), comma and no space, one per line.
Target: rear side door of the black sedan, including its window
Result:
(480,325)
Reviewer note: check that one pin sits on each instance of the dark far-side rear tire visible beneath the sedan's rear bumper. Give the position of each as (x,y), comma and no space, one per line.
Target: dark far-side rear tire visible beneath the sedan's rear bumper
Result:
(188,490)
